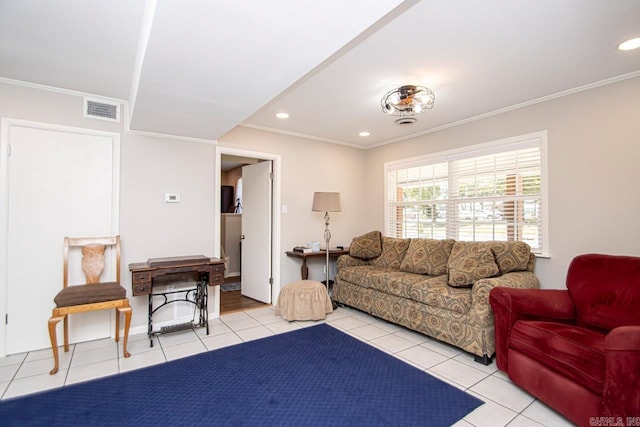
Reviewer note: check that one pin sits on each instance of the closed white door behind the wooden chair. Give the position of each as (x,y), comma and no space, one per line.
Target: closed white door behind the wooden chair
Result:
(60,183)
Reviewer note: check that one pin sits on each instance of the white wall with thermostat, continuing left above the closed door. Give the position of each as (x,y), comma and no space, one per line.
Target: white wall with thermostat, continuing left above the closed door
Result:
(150,167)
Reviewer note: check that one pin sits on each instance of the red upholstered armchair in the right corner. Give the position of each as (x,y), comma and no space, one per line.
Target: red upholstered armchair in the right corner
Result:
(577,350)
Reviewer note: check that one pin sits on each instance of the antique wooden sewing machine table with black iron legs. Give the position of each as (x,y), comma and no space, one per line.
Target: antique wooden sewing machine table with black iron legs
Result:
(149,278)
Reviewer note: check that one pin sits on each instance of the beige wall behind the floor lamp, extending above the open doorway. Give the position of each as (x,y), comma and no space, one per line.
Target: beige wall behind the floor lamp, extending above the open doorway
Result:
(309,166)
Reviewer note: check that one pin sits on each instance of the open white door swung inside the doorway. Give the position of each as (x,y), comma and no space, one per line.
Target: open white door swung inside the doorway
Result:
(256,229)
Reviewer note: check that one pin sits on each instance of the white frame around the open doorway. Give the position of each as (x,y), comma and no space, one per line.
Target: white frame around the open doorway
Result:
(275,212)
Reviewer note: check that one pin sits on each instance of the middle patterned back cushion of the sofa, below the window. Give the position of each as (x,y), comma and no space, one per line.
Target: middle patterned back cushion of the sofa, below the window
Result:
(427,256)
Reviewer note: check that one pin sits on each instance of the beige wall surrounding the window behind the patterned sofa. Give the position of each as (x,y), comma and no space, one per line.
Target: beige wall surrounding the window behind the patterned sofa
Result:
(594,177)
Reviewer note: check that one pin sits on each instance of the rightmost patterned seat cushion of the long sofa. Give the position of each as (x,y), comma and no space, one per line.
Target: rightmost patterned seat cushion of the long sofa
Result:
(436,292)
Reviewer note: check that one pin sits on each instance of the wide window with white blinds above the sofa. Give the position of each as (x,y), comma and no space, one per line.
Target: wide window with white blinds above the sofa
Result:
(492,191)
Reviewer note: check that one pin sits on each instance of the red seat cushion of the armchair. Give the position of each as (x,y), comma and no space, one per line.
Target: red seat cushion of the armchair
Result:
(573,351)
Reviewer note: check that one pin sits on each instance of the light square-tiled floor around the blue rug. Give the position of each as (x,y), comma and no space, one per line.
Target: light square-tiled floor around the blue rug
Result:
(506,404)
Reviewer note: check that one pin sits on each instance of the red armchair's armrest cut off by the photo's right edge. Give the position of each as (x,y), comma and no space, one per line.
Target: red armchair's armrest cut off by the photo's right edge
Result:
(622,374)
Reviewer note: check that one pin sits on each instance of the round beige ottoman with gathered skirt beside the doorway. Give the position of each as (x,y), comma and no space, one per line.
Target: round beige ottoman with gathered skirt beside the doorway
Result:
(303,300)
